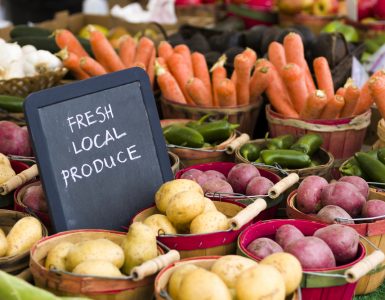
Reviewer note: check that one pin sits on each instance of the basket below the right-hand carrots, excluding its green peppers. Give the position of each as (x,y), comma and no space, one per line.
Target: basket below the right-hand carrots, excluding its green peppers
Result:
(325,158)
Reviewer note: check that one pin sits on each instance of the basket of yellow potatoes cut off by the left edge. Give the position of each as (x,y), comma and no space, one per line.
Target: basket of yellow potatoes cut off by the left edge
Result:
(18,232)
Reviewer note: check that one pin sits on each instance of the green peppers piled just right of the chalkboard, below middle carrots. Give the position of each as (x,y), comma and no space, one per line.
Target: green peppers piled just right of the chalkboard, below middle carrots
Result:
(199,134)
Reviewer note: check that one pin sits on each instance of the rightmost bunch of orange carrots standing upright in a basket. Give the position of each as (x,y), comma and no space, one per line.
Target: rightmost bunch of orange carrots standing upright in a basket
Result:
(292,92)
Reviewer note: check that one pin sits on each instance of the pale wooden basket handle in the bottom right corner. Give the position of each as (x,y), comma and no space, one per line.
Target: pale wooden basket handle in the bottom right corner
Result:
(363,267)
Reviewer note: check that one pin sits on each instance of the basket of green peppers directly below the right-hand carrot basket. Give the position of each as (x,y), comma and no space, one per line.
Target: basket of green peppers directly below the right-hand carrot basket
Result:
(287,154)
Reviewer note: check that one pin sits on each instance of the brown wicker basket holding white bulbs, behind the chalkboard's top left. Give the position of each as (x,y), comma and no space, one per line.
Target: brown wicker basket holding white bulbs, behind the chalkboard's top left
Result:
(24,86)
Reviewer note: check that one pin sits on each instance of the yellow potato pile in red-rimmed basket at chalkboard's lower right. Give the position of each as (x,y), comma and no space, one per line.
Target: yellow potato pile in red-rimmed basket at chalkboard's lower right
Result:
(184,209)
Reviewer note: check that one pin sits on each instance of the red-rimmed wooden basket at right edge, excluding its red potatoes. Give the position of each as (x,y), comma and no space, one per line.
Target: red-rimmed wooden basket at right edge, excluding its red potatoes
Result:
(374,232)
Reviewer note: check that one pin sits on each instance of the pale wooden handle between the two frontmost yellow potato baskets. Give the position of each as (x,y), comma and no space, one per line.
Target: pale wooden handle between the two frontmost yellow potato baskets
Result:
(154,265)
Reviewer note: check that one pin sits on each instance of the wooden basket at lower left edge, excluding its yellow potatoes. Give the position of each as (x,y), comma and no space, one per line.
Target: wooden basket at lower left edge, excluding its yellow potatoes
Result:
(17,263)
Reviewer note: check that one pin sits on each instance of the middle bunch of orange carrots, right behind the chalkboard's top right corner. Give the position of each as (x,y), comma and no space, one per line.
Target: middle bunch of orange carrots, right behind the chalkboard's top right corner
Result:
(184,77)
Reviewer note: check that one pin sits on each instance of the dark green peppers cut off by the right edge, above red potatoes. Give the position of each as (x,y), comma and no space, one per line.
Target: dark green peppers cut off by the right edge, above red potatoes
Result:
(368,165)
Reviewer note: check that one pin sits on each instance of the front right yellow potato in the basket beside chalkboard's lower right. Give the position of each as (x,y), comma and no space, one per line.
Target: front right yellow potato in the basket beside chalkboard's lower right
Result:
(209,222)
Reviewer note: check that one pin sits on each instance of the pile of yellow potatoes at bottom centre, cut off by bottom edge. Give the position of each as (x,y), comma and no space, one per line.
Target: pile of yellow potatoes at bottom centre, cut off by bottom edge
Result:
(237,277)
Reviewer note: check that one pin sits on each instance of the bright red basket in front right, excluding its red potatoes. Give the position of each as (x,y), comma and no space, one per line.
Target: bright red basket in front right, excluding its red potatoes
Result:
(313,286)
